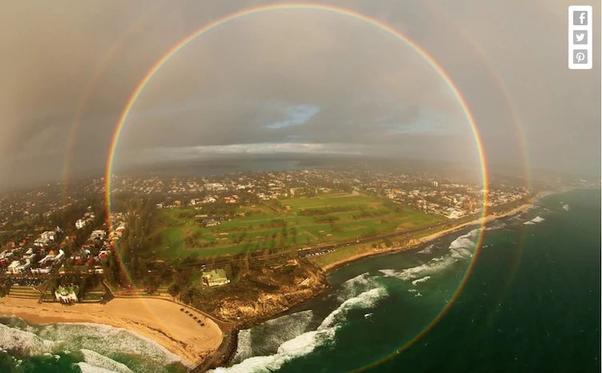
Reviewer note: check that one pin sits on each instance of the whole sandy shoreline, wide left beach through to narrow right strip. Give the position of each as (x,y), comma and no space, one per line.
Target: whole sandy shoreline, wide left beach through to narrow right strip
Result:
(198,347)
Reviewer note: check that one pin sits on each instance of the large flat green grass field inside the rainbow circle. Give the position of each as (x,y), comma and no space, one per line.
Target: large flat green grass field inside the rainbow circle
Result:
(287,224)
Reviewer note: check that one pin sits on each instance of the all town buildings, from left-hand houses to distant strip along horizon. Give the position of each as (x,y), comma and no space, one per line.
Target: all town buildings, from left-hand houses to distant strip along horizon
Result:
(51,231)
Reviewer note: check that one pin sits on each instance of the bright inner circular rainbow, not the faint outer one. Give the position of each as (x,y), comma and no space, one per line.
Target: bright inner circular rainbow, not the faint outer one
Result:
(338,11)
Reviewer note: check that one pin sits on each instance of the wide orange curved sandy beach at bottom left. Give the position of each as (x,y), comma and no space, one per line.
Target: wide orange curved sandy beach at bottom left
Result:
(157,319)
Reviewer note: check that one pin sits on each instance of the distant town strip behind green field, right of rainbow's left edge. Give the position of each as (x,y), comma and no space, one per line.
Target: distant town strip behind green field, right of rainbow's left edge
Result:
(446,198)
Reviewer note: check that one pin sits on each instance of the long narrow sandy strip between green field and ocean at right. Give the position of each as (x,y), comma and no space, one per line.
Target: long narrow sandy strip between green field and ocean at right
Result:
(431,237)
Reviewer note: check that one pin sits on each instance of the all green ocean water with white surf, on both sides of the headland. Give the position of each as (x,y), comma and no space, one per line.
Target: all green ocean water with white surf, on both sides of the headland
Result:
(530,304)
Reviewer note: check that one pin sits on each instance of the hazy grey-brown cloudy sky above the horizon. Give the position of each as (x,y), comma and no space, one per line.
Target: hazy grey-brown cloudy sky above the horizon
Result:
(291,81)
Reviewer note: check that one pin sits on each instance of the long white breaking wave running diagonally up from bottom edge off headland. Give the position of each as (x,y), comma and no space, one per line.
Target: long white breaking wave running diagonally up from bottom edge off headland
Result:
(324,334)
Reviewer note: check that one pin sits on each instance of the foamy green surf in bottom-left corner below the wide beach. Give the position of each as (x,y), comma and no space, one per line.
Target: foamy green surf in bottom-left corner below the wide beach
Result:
(79,347)
